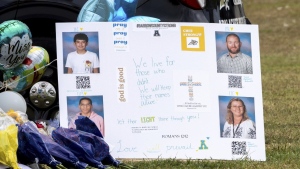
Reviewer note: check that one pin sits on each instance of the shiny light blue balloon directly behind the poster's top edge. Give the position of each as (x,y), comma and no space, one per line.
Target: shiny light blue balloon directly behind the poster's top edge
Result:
(111,11)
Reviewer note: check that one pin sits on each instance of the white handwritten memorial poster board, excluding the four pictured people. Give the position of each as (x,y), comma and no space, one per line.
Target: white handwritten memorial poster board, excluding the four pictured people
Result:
(158,89)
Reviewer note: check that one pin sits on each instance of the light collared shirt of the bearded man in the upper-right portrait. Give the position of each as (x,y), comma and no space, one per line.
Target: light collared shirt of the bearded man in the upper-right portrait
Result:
(240,64)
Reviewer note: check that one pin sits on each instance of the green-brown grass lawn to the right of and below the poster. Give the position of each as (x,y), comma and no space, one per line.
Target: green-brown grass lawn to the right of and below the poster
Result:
(279,32)
